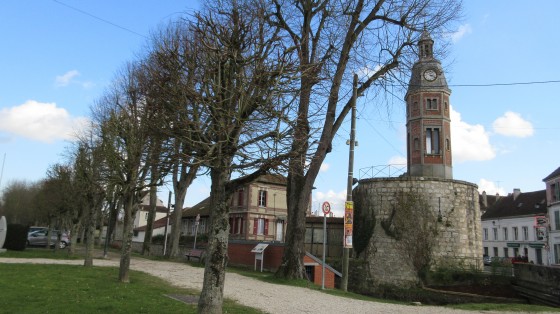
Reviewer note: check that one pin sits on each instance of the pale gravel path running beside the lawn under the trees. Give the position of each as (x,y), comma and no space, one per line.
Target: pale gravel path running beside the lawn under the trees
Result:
(270,298)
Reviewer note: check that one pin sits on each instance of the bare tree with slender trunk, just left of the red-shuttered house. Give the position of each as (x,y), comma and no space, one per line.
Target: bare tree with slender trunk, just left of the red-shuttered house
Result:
(171,77)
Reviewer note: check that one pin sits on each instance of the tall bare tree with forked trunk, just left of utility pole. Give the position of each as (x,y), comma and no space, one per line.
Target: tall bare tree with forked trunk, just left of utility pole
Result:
(332,38)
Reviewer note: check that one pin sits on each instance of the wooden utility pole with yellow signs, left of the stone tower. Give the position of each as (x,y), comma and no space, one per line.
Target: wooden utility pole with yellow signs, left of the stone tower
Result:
(346,248)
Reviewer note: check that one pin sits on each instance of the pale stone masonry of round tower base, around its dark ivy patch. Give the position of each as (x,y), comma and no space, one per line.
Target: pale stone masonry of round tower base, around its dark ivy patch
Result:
(459,241)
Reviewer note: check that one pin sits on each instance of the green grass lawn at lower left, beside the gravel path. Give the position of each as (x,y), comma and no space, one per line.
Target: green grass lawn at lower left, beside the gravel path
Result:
(39,288)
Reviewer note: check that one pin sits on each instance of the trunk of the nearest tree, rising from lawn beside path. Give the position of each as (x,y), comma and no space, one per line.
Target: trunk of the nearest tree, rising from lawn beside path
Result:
(211,297)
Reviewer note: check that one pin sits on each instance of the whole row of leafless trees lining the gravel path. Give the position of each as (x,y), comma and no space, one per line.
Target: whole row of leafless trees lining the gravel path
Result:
(243,87)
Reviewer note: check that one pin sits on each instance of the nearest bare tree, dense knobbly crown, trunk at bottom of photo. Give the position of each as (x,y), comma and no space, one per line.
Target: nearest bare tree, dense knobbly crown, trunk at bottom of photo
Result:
(235,112)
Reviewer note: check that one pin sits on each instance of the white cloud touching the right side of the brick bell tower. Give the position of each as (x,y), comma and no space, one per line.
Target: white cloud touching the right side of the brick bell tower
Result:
(469,142)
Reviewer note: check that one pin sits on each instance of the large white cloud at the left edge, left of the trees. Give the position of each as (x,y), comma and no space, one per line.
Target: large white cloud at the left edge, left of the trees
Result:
(44,122)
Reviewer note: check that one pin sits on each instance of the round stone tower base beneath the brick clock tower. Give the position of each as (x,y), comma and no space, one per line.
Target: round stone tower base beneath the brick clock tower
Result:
(456,224)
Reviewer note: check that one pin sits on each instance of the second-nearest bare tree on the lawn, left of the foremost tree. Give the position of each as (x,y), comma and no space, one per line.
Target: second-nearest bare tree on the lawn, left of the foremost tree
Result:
(124,117)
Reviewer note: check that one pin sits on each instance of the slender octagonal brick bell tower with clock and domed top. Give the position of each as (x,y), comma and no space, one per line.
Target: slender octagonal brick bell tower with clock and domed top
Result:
(427,116)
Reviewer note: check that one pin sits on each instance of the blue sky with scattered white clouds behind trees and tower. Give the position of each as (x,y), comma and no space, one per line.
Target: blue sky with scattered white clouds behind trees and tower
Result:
(59,56)
